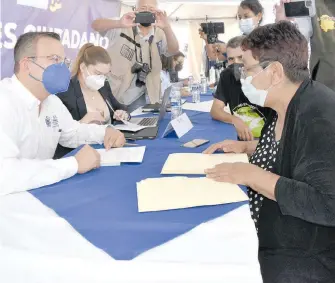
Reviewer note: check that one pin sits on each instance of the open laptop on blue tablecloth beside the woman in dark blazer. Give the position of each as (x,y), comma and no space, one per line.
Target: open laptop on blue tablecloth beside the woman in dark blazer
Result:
(152,123)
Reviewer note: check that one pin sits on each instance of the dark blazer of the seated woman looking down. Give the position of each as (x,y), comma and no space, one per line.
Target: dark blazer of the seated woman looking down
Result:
(74,101)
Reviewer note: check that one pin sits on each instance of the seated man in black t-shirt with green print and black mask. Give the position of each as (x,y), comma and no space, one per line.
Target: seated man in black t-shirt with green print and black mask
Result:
(247,118)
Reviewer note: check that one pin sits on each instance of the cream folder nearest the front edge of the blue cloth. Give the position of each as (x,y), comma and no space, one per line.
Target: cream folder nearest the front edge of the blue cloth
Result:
(182,192)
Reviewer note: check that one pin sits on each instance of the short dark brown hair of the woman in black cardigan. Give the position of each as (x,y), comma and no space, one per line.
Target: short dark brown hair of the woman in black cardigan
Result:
(281,42)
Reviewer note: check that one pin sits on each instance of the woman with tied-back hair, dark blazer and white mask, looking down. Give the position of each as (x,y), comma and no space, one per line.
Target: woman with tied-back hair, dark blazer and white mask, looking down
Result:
(89,97)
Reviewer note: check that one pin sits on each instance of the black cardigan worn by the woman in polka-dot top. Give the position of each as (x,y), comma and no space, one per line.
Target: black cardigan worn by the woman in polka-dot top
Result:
(297,233)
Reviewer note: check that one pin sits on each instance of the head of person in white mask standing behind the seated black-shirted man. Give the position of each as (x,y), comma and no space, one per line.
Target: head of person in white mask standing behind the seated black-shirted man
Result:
(250,15)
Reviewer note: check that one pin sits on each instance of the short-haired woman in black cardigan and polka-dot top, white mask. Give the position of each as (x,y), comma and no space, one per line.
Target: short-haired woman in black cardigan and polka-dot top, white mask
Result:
(291,175)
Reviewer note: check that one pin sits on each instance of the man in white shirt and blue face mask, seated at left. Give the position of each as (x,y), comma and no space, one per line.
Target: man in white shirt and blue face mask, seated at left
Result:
(33,121)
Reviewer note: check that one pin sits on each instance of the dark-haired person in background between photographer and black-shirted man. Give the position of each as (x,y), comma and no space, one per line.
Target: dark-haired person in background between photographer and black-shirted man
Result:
(171,66)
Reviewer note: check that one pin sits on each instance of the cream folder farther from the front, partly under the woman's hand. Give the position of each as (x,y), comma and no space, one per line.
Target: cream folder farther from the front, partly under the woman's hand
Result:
(197,163)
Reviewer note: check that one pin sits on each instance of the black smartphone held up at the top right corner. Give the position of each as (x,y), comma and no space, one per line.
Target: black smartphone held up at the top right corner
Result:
(296,9)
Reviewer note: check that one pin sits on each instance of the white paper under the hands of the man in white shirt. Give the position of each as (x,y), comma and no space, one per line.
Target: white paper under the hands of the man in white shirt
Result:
(115,156)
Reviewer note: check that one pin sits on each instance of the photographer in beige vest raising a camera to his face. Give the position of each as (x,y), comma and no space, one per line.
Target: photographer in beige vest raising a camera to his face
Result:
(137,41)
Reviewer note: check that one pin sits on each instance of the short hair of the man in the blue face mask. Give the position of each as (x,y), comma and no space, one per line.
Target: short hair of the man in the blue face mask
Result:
(26,45)
